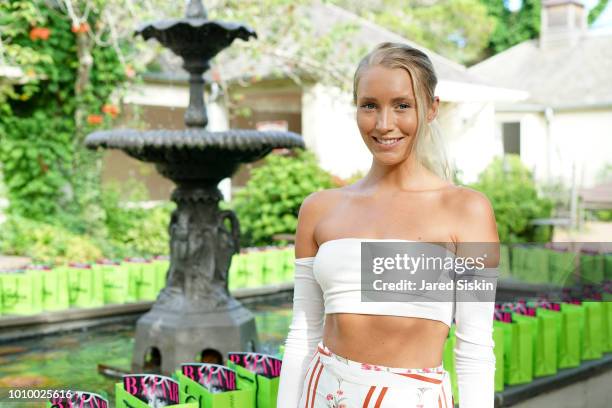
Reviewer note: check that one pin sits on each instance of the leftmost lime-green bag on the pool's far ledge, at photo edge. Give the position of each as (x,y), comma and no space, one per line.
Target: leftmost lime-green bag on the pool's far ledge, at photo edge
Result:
(17,293)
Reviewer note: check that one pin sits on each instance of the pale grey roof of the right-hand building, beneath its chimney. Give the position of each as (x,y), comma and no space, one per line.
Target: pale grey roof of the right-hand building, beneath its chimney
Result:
(557,76)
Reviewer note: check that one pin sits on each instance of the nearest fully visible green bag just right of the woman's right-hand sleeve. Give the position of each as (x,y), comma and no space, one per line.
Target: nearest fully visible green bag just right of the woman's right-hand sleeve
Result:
(518,350)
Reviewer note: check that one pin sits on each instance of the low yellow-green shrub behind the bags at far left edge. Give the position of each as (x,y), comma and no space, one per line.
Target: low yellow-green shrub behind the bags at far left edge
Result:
(45,243)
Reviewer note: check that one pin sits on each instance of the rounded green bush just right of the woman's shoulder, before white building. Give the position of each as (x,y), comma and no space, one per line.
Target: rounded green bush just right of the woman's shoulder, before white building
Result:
(509,186)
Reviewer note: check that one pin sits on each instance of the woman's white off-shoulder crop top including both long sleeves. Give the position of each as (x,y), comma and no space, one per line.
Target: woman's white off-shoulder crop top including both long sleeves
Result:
(330,282)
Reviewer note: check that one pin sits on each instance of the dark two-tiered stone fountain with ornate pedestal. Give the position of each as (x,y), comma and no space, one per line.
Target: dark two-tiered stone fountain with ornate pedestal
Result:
(194,315)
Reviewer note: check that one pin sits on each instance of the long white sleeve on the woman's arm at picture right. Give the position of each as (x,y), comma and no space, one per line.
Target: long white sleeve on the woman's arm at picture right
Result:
(474,356)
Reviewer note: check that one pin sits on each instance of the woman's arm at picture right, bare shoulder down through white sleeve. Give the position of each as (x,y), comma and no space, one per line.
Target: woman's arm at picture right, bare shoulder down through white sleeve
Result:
(476,236)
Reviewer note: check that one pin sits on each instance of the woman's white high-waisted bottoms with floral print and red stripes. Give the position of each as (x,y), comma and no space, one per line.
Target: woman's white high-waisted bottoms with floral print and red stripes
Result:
(336,382)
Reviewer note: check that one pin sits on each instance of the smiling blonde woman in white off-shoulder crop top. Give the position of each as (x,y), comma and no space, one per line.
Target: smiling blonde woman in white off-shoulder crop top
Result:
(341,352)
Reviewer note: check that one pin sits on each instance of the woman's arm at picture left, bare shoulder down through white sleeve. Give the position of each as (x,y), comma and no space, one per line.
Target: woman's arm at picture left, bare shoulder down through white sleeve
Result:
(306,329)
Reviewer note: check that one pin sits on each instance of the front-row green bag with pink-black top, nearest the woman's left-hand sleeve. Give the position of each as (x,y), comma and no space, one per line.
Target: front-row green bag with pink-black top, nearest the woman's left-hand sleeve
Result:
(258,372)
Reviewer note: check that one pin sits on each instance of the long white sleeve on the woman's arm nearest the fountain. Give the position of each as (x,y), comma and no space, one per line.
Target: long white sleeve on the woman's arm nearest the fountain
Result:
(305,332)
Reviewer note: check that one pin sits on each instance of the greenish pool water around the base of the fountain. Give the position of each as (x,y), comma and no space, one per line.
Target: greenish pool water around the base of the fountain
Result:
(70,360)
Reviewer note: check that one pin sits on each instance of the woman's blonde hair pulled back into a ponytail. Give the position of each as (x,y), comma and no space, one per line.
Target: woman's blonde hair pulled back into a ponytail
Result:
(428,147)
